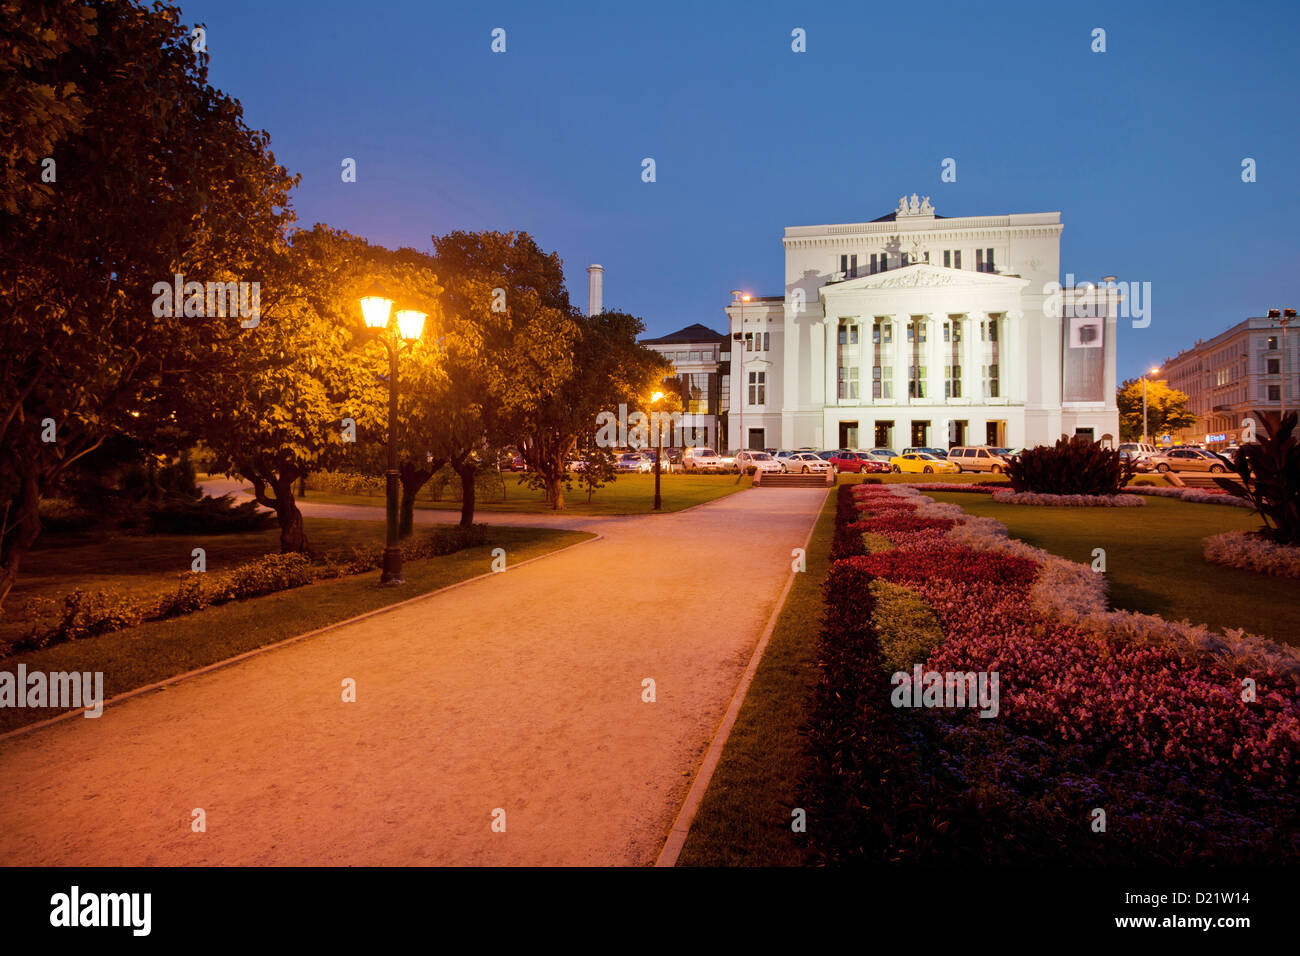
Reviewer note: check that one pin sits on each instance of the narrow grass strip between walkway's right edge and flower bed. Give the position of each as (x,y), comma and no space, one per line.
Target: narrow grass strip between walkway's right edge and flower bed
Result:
(746,816)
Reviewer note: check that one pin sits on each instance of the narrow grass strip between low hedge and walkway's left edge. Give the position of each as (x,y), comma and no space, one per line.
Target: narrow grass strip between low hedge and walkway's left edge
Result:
(161,650)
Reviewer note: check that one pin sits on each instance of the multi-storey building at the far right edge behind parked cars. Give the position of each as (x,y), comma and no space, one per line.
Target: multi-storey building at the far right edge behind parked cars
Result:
(1233,375)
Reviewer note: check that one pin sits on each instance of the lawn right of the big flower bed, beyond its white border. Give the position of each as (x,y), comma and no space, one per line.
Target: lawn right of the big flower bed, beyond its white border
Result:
(1155,560)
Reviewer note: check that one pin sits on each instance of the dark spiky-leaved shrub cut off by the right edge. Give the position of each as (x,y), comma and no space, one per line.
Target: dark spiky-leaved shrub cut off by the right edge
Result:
(1271,478)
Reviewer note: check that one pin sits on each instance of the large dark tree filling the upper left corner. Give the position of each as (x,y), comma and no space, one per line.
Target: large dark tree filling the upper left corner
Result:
(155,175)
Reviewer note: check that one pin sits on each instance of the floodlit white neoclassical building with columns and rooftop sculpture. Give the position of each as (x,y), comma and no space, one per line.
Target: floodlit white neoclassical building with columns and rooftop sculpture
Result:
(917,330)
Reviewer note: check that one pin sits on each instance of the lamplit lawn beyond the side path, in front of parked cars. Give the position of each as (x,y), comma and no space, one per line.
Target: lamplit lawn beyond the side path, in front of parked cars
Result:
(629,495)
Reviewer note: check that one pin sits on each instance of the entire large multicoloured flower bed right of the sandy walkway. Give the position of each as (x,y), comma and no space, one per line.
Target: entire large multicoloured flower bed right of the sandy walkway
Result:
(1099,710)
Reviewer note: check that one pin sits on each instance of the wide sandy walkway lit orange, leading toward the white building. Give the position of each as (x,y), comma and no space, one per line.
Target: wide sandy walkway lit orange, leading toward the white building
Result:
(521,691)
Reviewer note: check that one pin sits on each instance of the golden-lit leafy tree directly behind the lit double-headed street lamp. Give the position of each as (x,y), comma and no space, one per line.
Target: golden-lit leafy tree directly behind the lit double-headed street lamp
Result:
(315,379)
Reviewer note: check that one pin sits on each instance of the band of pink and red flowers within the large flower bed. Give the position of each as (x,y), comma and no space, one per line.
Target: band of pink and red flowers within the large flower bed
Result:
(1150,693)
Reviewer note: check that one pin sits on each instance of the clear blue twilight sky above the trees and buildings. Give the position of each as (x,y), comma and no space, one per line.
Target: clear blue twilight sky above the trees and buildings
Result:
(1139,149)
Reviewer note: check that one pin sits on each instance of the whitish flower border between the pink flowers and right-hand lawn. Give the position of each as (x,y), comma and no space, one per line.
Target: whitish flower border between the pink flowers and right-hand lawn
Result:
(1076,595)
